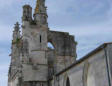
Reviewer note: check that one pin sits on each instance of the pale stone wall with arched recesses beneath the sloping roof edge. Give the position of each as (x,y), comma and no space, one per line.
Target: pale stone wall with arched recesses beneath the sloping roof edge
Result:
(92,71)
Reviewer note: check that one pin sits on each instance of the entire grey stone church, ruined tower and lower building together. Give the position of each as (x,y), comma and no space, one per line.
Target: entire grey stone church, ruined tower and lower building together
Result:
(35,63)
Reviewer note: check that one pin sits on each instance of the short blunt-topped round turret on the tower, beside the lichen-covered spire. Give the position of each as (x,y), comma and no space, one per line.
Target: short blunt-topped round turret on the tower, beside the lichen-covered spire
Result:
(27,13)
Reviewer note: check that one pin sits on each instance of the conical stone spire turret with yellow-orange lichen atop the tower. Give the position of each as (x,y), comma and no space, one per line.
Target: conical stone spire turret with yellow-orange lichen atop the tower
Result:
(40,15)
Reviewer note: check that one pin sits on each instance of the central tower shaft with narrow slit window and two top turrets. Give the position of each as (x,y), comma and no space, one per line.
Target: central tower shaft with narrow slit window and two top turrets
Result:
(34,49)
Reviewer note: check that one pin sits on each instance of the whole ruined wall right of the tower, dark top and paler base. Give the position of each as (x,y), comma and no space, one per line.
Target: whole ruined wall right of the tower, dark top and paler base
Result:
(65,49)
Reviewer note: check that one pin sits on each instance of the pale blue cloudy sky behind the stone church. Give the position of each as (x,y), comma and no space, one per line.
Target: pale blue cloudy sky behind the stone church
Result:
(89,20)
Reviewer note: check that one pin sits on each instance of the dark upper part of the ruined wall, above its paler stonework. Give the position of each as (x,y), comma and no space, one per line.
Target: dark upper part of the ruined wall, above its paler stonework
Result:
(65,44)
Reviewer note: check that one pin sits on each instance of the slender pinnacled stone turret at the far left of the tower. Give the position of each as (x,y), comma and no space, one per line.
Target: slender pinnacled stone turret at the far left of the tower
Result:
(15,54)
